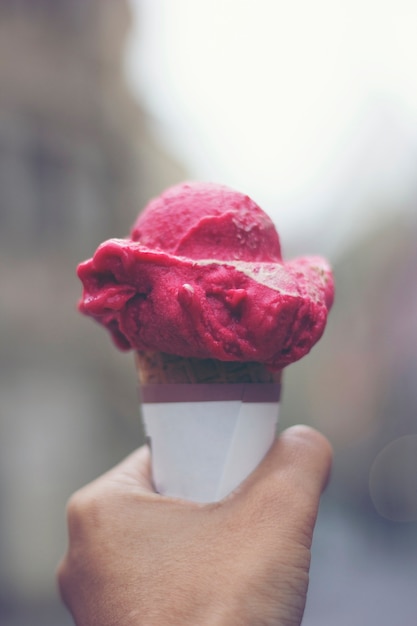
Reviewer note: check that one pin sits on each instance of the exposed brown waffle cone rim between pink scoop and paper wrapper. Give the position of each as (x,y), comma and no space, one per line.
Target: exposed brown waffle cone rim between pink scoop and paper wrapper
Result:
(160,368)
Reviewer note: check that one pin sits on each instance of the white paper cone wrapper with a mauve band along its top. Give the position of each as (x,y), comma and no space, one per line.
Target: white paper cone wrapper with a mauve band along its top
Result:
(203,449)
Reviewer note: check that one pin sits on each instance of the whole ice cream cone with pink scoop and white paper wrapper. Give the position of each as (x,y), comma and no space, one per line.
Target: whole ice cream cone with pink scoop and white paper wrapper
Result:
(202,273)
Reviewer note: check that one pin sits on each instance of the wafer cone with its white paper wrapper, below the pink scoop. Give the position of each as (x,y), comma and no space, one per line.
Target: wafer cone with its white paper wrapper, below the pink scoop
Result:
(210,422)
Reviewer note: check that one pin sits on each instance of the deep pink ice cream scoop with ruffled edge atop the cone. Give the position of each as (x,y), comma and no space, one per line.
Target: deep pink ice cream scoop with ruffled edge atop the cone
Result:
(202,276)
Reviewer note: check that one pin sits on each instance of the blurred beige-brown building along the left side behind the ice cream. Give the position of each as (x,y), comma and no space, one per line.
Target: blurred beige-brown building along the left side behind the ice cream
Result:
(77,162)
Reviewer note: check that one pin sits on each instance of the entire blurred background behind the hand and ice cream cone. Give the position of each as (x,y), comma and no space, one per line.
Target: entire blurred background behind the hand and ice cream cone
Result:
(311,109)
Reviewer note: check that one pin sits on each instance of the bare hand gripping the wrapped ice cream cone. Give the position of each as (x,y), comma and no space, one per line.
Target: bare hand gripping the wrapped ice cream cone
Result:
(137,558)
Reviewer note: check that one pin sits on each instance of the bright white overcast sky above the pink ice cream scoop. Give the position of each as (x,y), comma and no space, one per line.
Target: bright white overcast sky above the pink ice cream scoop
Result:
(309,107)
